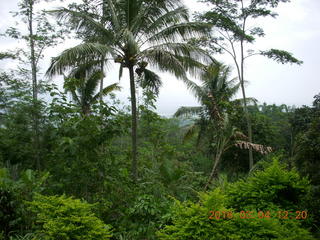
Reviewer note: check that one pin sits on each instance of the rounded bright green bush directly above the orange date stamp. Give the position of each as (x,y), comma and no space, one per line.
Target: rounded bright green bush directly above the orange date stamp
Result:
(271,188)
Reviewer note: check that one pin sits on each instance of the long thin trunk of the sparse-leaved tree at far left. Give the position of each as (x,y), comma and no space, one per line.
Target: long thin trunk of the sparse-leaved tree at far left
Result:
(34,86)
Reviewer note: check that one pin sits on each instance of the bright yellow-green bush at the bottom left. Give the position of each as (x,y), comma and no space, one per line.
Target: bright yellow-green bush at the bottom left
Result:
(63,218)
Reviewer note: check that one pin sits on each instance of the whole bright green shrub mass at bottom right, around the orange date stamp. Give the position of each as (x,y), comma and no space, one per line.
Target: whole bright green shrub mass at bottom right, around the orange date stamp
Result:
(265,190)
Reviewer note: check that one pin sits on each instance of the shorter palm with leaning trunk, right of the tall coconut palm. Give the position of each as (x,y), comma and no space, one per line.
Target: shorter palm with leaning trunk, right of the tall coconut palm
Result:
(214,95)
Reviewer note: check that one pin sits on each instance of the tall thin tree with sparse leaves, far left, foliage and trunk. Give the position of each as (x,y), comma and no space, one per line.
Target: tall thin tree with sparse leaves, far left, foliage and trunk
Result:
(39,35)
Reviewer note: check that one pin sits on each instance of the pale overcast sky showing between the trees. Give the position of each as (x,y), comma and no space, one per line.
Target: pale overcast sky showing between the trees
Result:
(296,30)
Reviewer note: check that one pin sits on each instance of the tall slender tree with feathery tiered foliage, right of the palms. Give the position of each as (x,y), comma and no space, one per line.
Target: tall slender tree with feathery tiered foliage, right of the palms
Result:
(233,35)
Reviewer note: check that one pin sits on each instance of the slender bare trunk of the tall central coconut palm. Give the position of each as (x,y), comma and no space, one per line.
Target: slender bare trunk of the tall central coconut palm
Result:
(134,124)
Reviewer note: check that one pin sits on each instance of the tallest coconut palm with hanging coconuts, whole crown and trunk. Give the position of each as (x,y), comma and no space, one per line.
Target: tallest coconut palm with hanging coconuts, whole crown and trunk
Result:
(139,33)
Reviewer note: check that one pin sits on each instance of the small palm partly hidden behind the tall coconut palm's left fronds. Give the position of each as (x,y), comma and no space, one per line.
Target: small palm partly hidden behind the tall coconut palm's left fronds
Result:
(82,83)
